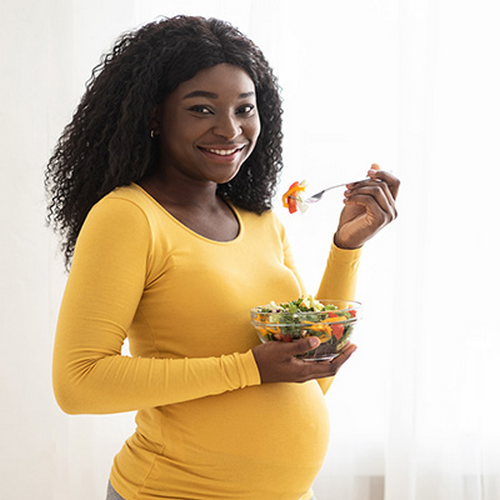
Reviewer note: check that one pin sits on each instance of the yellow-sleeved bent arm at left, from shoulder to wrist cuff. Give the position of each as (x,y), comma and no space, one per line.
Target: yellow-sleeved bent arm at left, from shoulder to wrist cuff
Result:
(110,271)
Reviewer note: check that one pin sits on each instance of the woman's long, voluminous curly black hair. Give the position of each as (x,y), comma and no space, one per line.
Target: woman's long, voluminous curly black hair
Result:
(108,144)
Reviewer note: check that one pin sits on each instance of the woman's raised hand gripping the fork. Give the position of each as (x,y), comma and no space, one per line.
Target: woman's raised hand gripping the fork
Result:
(369,206)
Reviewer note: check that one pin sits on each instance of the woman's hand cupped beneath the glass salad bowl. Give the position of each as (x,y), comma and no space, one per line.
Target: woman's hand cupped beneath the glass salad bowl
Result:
(277,362)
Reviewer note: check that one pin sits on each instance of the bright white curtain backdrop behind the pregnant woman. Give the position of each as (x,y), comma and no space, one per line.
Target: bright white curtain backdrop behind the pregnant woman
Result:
(410,84)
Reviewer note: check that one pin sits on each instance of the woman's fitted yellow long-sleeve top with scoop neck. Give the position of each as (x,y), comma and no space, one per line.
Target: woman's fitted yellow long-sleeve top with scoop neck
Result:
(206,426)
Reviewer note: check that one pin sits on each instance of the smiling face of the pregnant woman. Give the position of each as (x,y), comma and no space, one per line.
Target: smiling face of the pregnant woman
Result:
(209,125)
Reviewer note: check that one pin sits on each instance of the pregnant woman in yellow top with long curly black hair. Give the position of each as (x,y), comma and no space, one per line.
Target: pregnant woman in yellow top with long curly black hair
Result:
(161,189)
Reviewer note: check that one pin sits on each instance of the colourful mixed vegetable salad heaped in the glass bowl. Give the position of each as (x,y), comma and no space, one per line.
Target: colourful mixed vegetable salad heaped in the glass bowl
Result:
(305,317)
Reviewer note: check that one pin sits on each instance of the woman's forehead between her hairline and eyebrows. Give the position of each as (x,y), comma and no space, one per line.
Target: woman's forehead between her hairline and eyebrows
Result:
(222,79)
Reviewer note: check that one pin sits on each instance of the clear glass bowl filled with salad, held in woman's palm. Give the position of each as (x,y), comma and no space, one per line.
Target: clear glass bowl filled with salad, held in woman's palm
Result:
(333,325)
